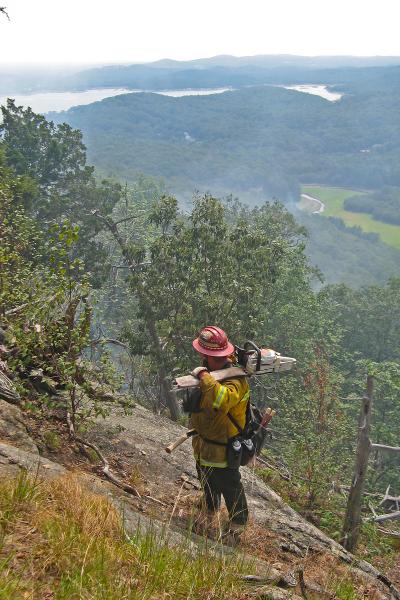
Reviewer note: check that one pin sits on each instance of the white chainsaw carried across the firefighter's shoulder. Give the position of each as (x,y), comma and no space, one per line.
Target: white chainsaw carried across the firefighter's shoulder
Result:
(247,361)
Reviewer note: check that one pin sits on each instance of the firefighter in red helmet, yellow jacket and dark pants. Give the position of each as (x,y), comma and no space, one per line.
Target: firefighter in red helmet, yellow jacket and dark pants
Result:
(219,406)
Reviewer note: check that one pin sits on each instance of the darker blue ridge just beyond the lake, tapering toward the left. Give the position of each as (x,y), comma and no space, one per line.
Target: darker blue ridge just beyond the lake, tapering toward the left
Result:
(230,71)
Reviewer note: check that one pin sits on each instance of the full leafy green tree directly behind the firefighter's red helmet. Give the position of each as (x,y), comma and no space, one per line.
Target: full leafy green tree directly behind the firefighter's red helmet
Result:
(217,264)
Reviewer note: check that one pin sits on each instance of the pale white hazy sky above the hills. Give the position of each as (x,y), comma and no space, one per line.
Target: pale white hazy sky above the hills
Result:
(99,31)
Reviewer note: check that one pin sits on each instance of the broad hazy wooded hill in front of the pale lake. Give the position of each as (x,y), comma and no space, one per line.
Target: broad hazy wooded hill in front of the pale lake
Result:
(258,138)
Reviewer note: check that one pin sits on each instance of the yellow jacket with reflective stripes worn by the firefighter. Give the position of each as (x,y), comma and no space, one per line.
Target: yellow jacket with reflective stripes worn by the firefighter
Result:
(212,422)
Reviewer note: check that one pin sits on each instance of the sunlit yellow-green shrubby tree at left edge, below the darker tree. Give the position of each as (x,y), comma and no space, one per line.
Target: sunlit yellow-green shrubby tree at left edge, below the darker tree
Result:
(45,310)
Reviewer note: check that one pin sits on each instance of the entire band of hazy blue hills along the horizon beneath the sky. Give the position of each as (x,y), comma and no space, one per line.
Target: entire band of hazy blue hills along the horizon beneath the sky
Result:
(206,72)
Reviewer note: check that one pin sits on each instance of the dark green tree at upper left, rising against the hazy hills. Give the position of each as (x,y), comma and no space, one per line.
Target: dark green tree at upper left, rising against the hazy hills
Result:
(54,157)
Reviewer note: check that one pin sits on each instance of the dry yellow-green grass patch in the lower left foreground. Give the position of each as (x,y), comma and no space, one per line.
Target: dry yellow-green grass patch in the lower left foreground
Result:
(61,541)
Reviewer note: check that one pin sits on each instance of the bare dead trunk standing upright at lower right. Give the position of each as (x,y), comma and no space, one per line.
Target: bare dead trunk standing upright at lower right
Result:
(352,521)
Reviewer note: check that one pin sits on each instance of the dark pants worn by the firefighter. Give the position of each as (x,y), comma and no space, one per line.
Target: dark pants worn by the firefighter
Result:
(226,482)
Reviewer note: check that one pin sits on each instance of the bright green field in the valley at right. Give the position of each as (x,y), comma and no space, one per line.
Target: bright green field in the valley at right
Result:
(333,199)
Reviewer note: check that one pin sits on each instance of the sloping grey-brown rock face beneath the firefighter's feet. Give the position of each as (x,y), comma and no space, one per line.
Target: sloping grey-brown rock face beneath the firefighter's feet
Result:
(288,550)
